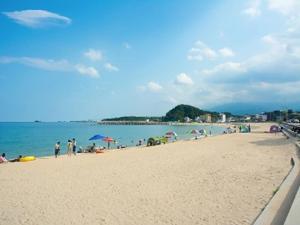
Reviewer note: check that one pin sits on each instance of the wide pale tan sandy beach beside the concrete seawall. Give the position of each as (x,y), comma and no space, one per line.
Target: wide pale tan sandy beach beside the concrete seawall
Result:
(225,179)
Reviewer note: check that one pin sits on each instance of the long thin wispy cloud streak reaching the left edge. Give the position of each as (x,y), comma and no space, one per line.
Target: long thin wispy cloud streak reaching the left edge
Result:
(52,65)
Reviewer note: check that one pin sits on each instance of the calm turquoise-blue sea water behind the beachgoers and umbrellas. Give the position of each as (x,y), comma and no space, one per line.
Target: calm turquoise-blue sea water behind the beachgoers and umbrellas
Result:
(38,139)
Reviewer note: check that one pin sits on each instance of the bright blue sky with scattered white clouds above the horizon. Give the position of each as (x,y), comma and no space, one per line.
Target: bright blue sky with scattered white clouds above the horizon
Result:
(78,60)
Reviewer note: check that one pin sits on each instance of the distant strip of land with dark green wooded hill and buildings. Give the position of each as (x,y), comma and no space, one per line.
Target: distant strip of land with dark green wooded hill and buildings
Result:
(187,113)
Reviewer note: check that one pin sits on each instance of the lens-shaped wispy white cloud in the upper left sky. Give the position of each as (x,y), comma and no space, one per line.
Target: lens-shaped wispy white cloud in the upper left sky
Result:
(37,18)
